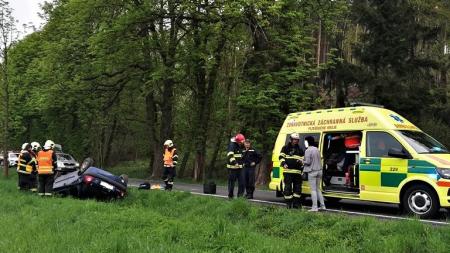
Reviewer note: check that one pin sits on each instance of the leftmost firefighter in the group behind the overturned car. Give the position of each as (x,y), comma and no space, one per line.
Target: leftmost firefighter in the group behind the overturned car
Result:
(25,167)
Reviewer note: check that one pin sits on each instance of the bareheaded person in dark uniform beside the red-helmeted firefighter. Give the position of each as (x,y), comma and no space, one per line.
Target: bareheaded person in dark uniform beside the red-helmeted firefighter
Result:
(250,158)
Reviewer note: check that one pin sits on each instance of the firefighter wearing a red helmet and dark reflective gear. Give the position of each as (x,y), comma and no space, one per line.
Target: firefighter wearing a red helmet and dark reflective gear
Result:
(234,165)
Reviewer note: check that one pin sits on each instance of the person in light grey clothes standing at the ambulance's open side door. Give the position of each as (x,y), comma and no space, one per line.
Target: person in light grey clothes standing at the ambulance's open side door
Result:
(313,169)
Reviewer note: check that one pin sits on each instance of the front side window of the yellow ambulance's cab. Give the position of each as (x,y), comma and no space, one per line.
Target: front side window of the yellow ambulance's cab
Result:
(379,143)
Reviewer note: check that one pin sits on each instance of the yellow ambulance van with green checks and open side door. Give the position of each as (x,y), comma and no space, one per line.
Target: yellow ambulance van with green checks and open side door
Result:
(372,154)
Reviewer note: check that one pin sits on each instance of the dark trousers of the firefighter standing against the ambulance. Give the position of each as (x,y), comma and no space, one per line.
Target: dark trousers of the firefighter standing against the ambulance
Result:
(292,189)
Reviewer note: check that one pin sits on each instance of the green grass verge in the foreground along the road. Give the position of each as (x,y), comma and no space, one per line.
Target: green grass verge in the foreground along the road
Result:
(158,221)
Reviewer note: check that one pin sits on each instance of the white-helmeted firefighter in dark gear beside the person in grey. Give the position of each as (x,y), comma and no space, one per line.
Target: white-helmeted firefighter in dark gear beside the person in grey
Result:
(291,156)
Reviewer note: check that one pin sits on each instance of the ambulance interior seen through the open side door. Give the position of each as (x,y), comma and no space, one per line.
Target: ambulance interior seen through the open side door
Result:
(340,154)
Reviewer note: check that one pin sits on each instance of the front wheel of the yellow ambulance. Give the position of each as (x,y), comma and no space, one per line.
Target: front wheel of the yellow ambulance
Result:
(421,200)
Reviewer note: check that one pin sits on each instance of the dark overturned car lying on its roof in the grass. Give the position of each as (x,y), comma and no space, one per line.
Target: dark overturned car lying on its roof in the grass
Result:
(91,182)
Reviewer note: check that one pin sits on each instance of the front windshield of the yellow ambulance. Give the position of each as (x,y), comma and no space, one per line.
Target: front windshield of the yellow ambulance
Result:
(423,143)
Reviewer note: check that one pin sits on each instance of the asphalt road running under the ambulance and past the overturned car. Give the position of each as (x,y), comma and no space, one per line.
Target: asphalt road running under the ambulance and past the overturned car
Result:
(349,207)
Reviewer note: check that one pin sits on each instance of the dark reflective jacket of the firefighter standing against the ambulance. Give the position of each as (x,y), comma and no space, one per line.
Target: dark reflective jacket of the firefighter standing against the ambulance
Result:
(292,155)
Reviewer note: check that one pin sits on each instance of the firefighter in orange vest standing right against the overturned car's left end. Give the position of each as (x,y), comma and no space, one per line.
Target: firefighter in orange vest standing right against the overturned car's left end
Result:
(46,168)
